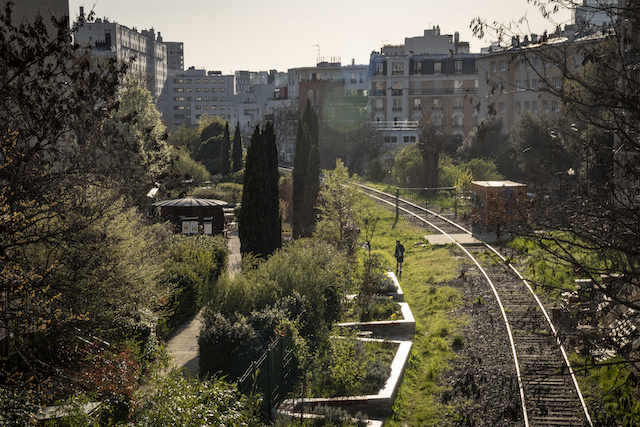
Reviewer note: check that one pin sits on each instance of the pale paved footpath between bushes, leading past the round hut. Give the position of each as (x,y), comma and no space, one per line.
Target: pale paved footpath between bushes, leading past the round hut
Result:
(183,346)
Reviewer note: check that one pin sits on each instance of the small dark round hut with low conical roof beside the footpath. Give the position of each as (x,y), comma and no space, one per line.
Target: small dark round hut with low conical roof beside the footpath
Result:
(193,215)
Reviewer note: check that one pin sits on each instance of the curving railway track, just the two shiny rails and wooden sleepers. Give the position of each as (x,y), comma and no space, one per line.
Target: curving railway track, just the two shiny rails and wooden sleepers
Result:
(549,392)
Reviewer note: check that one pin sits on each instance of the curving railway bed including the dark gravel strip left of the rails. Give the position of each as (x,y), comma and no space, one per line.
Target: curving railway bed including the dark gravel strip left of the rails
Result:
(512,370)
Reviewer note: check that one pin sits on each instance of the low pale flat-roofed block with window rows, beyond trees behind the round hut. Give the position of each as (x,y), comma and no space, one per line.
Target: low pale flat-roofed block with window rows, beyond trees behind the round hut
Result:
(195,93)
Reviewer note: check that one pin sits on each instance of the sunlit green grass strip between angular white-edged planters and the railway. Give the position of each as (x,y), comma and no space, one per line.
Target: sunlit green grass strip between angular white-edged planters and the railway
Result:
(425,273)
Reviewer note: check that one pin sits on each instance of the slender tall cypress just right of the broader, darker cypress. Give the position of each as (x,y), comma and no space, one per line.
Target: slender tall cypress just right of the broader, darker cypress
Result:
(306,172)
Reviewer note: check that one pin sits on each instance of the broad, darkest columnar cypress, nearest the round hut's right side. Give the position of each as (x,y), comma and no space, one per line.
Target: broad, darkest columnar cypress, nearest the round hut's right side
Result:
(259,224)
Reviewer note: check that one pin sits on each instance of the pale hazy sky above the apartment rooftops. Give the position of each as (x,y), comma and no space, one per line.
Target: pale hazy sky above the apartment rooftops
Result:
(260,35)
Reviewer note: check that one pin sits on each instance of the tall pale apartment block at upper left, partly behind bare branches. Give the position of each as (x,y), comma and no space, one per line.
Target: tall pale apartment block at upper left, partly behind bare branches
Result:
(110,39)
